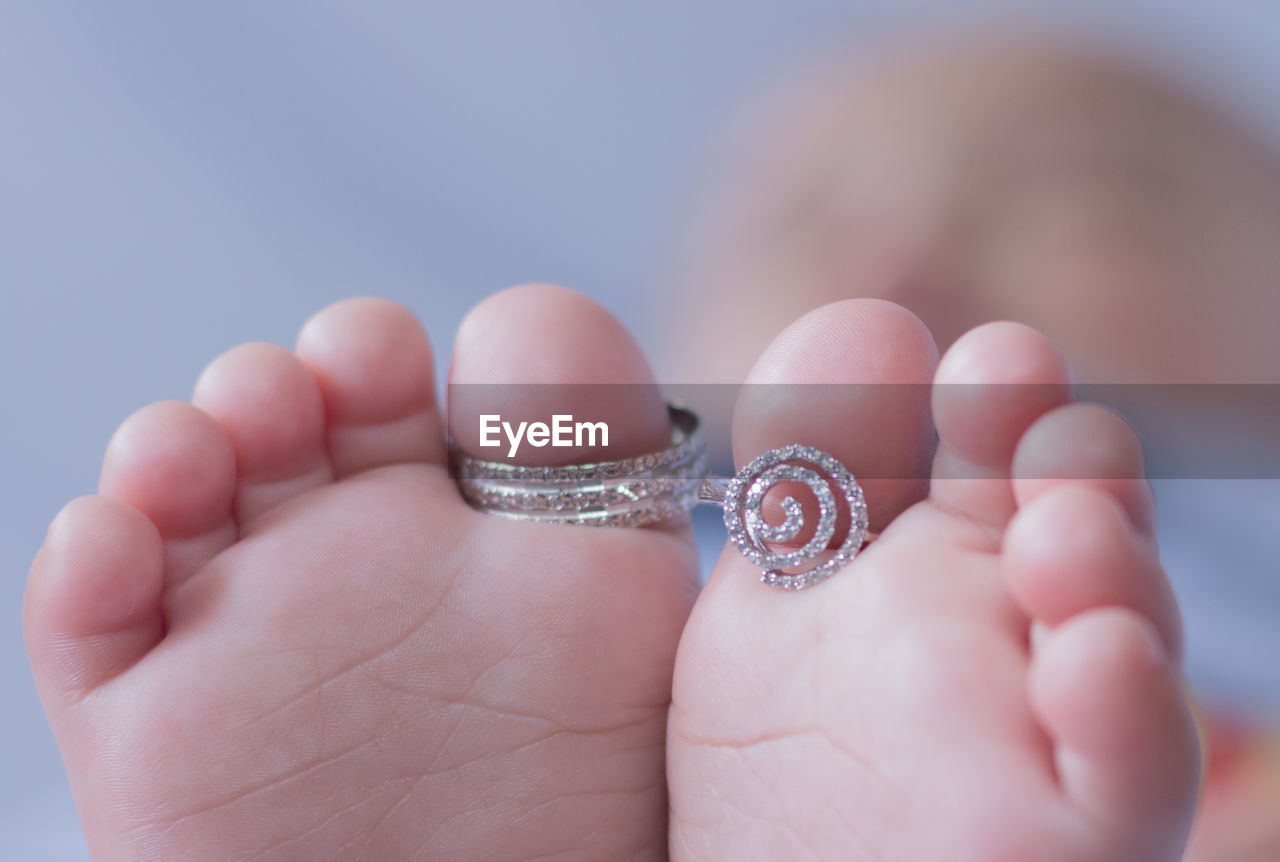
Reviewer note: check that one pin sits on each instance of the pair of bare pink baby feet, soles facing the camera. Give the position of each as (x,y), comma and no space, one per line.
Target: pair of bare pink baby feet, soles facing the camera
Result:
(278,633)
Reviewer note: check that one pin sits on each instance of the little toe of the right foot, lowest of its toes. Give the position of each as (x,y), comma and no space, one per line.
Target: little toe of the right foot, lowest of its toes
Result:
(1126,746)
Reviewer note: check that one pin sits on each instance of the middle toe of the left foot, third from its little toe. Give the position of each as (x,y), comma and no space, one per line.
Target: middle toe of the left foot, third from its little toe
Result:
(271,408)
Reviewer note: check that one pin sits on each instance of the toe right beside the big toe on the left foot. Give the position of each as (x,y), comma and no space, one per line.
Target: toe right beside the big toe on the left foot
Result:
(373,362)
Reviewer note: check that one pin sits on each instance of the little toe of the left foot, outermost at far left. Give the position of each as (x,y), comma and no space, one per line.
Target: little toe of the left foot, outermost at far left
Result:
(93,605)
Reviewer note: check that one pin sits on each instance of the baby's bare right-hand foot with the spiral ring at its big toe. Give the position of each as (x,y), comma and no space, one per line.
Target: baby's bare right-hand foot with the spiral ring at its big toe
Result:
(904,710)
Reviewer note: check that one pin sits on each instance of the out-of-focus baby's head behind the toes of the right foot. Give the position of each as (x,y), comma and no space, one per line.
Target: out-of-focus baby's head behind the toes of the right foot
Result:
(996,179)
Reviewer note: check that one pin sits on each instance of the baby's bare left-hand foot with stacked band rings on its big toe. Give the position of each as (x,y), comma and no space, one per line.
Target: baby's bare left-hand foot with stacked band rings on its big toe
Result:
(278,633)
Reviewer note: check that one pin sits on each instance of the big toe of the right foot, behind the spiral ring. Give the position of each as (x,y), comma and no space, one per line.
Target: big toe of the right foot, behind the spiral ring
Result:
(849,380)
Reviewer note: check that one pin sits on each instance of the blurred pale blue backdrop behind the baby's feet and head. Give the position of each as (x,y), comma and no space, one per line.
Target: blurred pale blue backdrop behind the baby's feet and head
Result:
(177,179)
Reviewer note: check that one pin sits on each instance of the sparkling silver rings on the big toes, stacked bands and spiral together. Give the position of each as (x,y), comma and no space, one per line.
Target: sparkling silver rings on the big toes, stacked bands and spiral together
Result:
(652,489)
